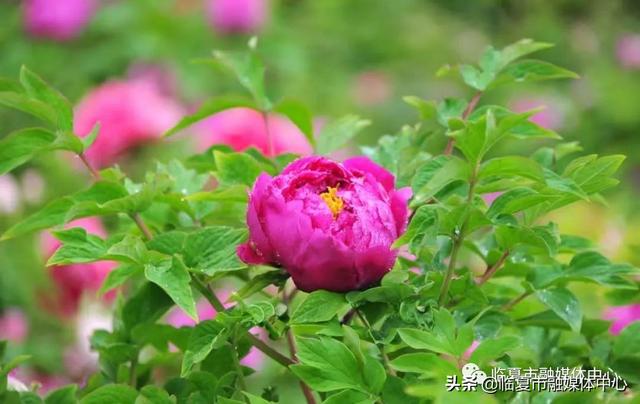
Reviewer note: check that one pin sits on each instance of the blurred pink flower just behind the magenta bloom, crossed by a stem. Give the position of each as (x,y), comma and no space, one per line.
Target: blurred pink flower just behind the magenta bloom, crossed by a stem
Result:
(241,128)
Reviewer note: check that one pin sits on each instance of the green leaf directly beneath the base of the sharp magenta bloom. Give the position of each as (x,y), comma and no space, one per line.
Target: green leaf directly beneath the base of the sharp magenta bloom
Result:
(318,307)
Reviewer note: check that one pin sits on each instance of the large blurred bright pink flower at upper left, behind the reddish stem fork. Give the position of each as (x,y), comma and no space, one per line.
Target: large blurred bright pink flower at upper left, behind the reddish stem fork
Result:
(130,114)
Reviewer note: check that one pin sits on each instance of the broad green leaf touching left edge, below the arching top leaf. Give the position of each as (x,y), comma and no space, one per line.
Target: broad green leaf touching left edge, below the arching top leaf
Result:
(22,145)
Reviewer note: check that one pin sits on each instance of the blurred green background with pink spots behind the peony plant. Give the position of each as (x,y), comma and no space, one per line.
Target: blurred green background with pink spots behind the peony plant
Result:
(339,57)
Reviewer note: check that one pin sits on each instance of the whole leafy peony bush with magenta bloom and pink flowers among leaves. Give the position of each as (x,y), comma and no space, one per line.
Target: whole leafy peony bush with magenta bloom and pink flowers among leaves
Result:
(370,280)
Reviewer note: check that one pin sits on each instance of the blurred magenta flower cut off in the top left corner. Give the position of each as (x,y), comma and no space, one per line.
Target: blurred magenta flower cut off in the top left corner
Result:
(57,19)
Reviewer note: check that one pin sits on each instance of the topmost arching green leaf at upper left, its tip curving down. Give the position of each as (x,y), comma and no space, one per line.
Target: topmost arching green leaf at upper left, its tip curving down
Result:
(37,88)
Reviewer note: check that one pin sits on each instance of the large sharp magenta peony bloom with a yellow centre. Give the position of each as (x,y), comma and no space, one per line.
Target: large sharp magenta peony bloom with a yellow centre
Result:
(329,225)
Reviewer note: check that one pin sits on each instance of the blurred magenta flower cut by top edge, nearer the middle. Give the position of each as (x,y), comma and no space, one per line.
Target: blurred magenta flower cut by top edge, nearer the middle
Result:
(237,16)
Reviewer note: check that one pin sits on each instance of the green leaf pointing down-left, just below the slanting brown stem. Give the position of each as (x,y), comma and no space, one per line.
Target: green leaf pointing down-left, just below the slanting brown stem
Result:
(206,336)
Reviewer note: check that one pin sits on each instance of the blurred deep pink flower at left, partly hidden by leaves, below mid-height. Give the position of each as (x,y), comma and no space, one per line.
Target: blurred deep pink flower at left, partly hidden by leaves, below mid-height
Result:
(75,280)
